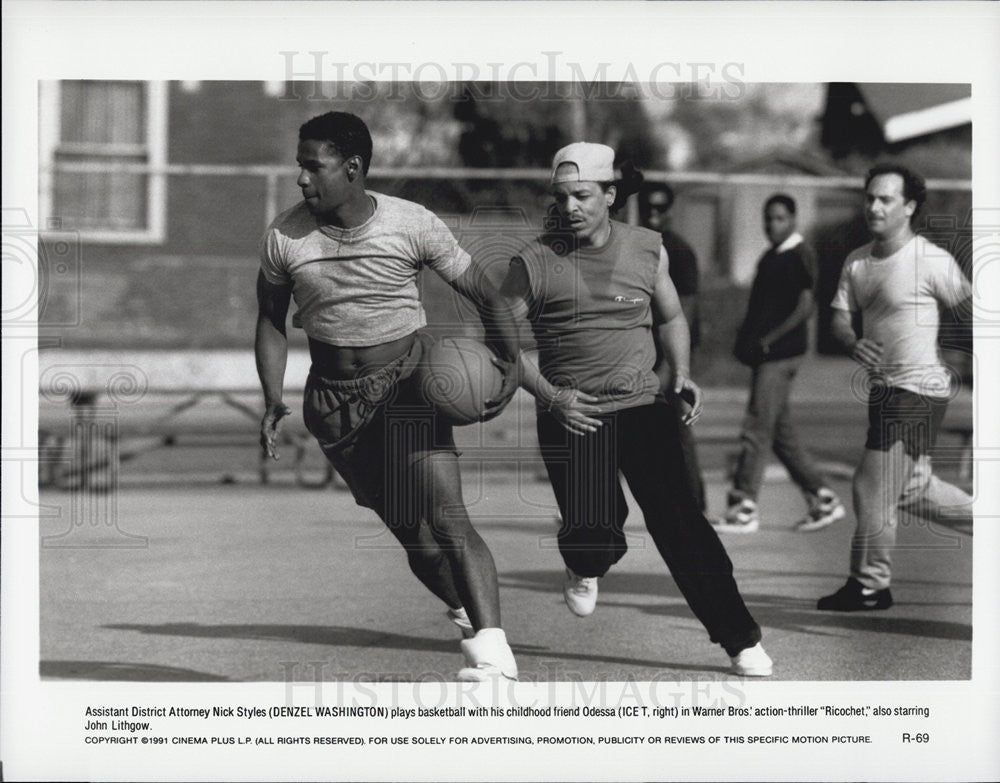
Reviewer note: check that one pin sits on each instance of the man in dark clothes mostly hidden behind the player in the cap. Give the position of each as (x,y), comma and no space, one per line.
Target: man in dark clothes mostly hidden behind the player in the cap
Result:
(683,270)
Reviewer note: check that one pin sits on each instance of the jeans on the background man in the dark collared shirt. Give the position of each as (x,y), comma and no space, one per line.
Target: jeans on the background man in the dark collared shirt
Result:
(768,424)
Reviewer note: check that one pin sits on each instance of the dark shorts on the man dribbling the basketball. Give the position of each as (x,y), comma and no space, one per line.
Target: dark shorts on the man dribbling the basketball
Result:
(373,429)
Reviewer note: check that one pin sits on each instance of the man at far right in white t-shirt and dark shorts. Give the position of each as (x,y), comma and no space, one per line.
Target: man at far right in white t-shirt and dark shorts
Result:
(898,282)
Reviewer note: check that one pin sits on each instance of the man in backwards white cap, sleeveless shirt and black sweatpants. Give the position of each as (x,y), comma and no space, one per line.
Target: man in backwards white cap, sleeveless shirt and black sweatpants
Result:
(600,301)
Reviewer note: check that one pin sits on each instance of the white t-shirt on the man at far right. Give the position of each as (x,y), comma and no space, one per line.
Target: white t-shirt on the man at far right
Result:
(899,298)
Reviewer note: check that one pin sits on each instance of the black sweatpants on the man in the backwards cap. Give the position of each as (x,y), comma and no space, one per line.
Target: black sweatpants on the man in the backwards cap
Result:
(644,444)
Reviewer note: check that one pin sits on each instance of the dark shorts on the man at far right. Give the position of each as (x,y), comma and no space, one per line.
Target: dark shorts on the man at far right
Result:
(896,414)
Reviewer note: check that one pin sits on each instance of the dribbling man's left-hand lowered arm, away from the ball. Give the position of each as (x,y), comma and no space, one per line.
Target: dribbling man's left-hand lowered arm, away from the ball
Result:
(271,354)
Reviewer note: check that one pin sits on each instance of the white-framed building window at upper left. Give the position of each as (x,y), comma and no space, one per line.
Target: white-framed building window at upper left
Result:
(91,130)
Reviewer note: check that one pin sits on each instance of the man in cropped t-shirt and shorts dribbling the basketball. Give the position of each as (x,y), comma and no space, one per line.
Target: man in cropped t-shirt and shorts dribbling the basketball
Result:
(350,257)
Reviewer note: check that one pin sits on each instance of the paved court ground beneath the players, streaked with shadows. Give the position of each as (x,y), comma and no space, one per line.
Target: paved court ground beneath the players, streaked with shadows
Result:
(239,582)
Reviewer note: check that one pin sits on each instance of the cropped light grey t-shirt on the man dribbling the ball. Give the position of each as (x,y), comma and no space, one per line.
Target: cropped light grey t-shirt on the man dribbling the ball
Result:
(358,286)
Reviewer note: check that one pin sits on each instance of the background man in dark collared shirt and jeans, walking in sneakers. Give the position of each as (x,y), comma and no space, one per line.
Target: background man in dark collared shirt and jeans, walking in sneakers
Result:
(772,341)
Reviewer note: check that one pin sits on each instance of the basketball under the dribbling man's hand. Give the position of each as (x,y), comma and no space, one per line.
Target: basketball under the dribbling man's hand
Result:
(457,376)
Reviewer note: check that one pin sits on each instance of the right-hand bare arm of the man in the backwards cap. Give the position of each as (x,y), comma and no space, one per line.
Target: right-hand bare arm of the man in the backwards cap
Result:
(670,330)
